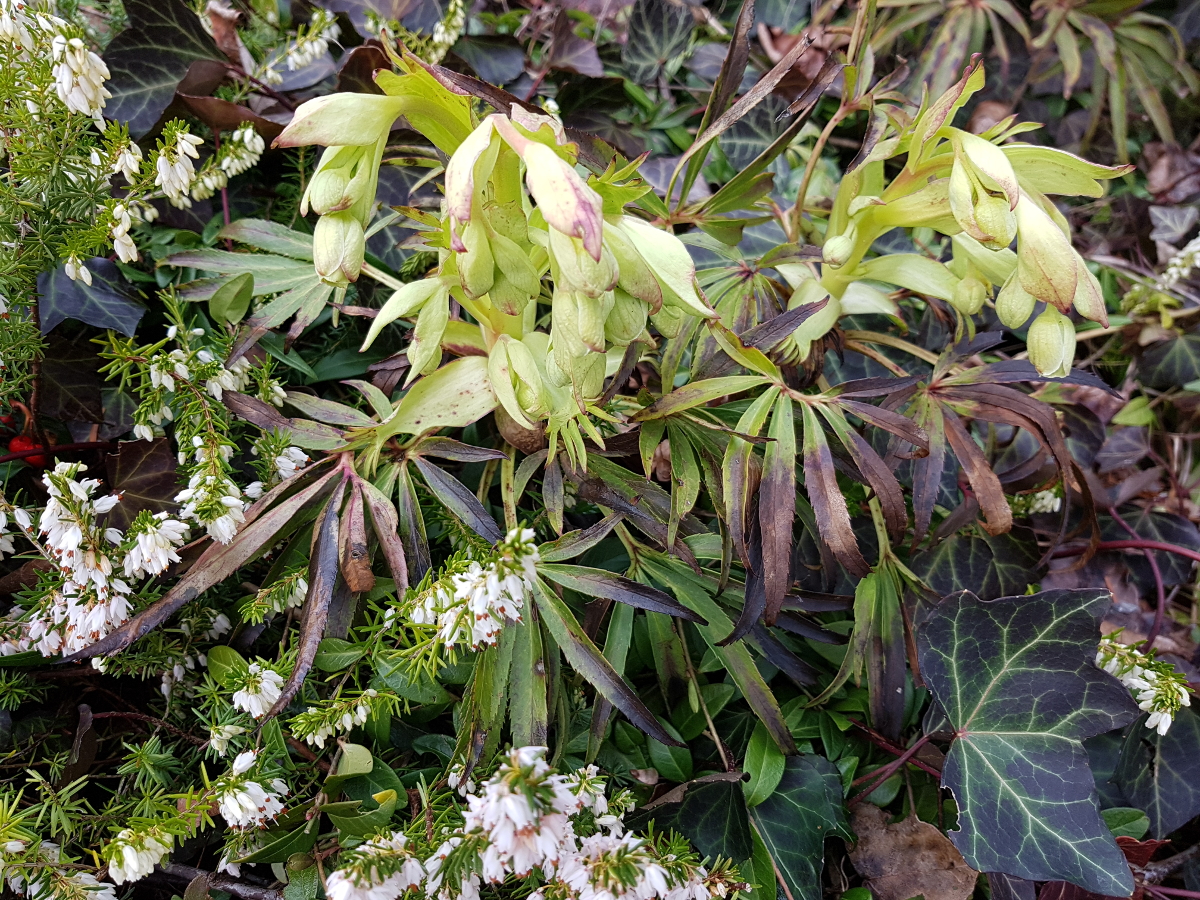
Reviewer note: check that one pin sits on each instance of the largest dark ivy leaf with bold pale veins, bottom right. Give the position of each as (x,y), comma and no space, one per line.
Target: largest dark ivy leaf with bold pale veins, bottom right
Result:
(1018,685)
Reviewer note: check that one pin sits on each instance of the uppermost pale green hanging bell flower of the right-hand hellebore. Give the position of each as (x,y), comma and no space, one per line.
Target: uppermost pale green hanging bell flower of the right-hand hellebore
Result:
(983,190)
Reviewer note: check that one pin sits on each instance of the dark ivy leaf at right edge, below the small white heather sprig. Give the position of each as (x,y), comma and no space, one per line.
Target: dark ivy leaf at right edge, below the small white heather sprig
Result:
(1161,773)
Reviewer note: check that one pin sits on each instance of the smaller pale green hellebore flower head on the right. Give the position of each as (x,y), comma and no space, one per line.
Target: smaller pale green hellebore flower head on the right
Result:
(985,195)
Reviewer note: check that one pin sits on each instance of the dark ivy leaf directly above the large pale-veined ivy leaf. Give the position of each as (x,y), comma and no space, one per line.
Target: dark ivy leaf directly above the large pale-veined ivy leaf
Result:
(999,566)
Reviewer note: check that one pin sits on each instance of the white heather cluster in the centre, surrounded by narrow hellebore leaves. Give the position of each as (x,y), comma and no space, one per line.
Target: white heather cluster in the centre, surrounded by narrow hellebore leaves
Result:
(472,607)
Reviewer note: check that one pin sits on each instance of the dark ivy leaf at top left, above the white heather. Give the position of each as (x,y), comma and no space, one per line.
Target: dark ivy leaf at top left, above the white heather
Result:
(151,58)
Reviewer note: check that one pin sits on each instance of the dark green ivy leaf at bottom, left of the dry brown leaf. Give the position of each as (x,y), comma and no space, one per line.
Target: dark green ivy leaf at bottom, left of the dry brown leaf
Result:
(795,821)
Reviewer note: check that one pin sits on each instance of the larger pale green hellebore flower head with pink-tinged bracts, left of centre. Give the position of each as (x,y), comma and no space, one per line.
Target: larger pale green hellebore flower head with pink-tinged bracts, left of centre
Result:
(517,212)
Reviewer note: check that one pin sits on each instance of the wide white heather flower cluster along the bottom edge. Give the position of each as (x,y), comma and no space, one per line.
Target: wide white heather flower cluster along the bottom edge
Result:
(524,821)
